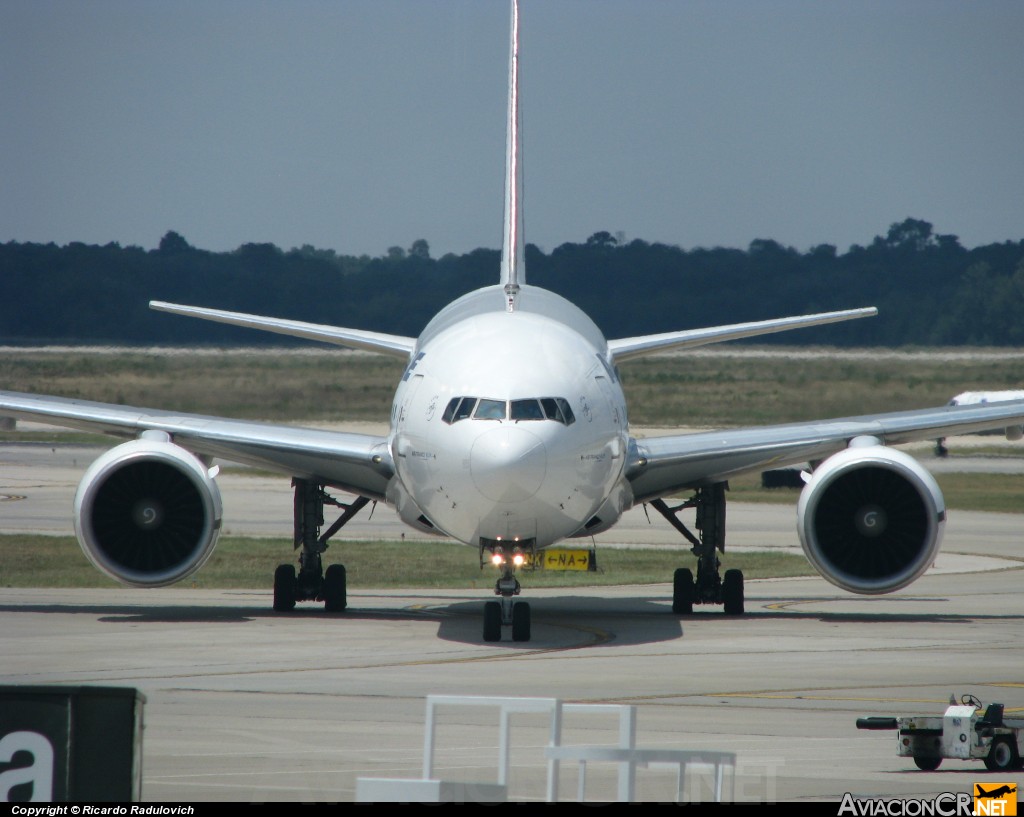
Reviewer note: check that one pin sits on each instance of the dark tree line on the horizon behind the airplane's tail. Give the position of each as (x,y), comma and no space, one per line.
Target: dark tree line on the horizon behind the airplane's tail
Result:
(929,289)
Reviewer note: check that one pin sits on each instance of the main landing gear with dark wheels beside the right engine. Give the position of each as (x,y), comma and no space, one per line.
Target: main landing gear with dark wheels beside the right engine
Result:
(709,587)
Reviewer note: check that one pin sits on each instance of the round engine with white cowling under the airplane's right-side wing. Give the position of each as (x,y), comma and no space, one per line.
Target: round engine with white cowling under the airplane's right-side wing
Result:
(871,520)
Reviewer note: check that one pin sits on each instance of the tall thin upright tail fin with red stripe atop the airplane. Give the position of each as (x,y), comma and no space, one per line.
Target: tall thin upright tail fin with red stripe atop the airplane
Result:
(514,252)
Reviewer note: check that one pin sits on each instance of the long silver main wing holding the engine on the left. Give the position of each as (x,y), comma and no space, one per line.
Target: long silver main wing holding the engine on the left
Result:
(358,463)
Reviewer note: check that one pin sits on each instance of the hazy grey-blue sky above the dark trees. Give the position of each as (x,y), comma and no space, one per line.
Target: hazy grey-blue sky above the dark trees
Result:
(357,125)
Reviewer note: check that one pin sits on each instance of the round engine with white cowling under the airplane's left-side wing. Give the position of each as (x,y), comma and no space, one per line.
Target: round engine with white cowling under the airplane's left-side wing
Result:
(148,513)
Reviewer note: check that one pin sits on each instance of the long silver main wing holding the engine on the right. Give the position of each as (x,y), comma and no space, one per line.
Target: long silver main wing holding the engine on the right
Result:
(660,466)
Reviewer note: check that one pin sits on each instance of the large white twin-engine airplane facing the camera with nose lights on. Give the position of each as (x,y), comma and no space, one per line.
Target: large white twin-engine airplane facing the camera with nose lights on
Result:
(509,434)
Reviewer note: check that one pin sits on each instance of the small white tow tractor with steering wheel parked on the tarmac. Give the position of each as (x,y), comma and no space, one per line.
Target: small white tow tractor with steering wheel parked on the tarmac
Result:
(963,733)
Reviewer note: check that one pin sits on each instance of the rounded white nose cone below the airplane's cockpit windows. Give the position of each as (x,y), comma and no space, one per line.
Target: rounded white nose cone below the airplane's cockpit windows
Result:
(508,464)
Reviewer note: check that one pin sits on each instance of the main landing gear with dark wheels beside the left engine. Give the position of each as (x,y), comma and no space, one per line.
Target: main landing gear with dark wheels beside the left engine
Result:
(312,583)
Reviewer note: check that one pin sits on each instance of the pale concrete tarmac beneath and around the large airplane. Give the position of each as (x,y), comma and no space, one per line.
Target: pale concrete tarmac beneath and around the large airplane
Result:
(247,706)
